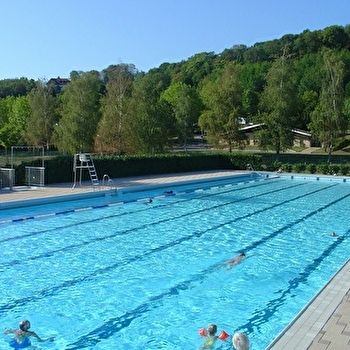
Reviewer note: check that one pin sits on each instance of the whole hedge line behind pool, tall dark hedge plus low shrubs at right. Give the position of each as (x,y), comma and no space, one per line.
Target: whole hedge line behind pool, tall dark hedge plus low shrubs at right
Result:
(59,169)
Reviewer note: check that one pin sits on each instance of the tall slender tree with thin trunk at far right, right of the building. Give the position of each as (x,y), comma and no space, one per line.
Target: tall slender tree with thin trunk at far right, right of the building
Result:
(328,121)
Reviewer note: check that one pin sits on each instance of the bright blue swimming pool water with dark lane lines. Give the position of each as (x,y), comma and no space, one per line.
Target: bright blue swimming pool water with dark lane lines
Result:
(134,275)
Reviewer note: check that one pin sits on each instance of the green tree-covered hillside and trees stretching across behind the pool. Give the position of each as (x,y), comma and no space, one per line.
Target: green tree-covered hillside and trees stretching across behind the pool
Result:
(297,81)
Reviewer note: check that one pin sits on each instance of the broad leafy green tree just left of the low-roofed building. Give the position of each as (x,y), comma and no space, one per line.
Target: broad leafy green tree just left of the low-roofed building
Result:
(223,109)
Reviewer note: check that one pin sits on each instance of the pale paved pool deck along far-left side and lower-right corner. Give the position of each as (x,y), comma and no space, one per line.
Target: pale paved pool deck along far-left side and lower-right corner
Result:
(324,324)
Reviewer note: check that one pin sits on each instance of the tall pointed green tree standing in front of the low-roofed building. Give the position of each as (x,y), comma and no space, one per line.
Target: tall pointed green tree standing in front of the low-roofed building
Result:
(277,102)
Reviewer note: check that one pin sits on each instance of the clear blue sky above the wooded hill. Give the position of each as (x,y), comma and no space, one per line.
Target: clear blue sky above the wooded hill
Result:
(42,39)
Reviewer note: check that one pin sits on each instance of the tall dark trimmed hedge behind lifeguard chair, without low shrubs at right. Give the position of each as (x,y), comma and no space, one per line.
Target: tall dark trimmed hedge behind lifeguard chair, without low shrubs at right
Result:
(60,169)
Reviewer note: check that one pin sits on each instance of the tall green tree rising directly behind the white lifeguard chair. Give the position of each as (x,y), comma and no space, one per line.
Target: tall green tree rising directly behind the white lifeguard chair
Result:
(76,129)
